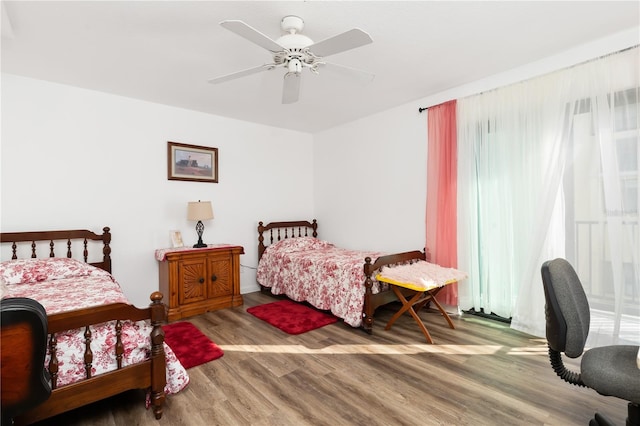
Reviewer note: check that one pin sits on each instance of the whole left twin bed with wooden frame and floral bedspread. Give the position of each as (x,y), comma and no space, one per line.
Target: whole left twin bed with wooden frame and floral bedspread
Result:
(99,344)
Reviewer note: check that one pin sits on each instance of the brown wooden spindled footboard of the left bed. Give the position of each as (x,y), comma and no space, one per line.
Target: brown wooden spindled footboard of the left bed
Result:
(148,374)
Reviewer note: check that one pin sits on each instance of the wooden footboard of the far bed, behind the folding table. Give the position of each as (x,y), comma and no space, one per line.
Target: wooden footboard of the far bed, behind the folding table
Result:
(373,301)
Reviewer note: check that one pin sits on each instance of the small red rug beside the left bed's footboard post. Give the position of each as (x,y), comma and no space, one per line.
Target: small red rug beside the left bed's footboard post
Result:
(189,344)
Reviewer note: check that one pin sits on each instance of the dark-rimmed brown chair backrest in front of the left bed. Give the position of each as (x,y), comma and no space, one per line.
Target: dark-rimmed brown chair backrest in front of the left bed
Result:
(25,382)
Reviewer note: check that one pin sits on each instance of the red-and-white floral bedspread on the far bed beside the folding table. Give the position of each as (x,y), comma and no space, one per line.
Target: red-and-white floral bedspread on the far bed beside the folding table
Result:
(317,272)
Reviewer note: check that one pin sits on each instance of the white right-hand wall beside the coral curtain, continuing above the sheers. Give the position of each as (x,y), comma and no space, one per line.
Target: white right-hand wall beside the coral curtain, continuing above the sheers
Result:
(370,174)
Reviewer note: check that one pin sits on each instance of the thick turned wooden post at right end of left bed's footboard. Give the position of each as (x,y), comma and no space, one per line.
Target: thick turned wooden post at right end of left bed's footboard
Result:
(158,360)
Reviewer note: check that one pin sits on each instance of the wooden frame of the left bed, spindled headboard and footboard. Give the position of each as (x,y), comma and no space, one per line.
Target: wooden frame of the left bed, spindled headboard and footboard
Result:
(148,374)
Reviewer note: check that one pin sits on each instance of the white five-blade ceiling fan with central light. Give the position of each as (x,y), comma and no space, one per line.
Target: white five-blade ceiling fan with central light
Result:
(295,52)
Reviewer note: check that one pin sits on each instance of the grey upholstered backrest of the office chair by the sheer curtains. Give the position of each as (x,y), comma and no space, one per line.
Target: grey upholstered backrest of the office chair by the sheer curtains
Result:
(566,309)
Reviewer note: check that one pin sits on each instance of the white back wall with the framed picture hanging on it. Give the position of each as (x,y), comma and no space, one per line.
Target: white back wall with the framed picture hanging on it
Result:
(73,158)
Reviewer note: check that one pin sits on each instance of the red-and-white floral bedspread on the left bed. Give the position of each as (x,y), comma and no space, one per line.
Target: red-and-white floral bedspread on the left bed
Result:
(60,285)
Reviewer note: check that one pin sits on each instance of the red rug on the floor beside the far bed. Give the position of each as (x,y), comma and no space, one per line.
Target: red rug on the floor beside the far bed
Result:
(291,317)
